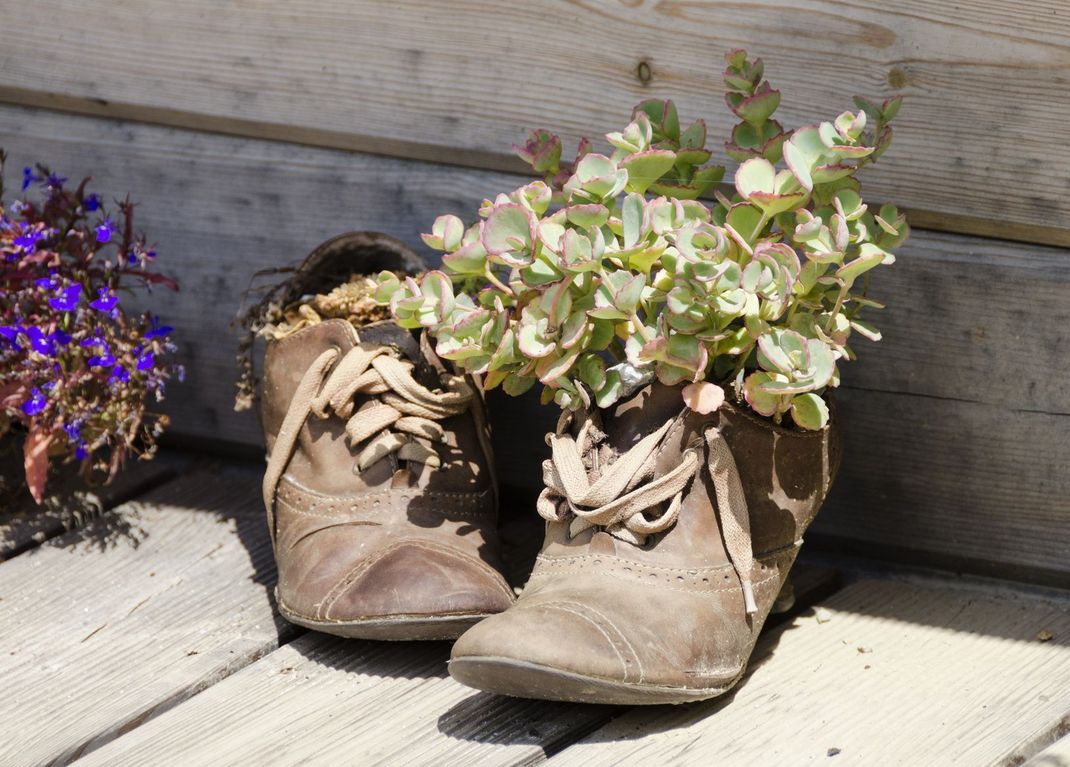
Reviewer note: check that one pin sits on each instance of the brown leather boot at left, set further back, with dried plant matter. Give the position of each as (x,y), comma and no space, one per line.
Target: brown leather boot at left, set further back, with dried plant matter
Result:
(380,492)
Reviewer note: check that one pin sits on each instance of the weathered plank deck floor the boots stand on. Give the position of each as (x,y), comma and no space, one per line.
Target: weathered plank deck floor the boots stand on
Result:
(146,635)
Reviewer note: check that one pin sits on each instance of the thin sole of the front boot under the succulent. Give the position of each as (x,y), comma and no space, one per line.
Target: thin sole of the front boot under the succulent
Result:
(521,679)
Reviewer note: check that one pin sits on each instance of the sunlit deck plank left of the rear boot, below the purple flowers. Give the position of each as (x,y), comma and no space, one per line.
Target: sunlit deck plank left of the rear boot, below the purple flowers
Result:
(106,627)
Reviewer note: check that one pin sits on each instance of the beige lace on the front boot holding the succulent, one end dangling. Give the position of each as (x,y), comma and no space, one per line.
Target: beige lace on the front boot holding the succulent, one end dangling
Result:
(624,492)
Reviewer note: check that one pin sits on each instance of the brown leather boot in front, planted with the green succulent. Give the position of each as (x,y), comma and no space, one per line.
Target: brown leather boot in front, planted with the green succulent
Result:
(669,535)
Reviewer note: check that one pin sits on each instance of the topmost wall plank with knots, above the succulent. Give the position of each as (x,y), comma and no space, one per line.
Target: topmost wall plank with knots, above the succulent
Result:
(462,82)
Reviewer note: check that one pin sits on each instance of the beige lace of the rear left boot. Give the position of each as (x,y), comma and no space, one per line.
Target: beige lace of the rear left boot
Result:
(404,413)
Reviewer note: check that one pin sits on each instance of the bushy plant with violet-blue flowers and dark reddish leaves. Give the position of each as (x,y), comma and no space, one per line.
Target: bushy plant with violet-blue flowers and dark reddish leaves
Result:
(77,371)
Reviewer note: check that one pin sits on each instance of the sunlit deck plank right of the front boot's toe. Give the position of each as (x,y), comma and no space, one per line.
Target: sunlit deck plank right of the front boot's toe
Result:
(900,674)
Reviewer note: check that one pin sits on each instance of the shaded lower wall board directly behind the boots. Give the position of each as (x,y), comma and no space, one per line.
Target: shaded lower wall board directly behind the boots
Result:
(955,426)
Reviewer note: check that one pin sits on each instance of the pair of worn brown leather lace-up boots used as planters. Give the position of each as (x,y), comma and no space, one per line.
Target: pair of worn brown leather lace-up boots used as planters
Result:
(668,533)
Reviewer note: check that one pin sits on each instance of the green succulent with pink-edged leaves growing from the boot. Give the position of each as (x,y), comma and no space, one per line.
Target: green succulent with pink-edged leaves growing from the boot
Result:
(613,257)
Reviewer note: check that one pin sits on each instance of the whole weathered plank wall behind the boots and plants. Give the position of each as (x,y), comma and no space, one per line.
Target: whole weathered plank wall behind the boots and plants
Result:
(251,131)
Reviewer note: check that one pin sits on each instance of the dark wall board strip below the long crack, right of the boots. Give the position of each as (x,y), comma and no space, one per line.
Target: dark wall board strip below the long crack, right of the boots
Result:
(966,485)
